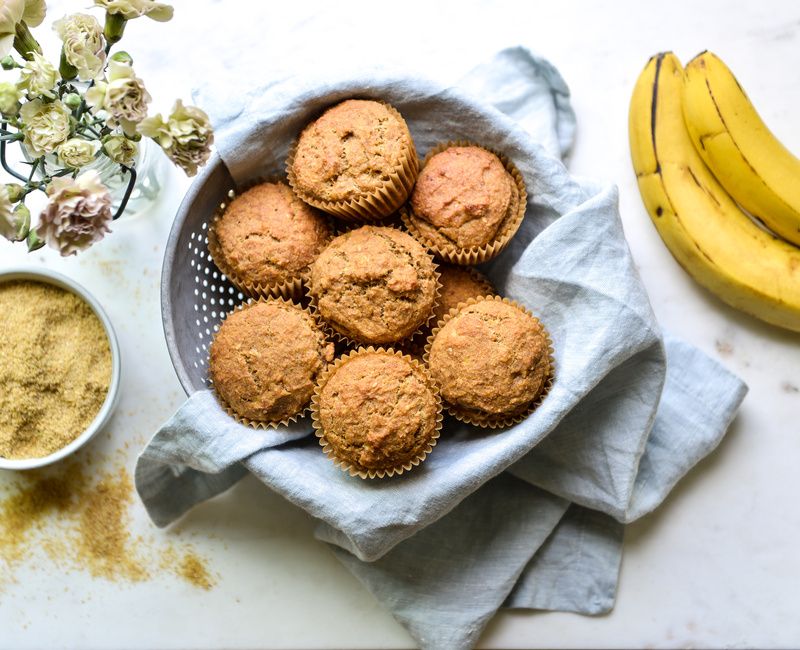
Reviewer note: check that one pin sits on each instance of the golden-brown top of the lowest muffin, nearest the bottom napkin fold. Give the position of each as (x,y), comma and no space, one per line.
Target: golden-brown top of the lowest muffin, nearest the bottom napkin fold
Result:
(377,411)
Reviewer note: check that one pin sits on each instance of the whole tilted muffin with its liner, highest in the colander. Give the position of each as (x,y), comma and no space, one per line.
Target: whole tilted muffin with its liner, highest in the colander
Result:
(357,160)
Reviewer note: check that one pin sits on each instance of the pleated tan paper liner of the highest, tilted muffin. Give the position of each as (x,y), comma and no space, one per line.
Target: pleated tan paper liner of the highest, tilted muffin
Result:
(382,202)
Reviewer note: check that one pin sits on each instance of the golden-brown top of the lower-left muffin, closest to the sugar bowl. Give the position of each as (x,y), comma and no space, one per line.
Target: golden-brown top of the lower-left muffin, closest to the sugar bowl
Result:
(265,360)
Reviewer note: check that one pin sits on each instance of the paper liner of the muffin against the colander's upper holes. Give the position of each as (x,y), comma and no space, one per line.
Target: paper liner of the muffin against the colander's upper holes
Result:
(291,288)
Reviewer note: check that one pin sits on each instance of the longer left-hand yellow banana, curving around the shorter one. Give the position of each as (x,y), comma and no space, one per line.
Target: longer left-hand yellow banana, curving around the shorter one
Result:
(707,233)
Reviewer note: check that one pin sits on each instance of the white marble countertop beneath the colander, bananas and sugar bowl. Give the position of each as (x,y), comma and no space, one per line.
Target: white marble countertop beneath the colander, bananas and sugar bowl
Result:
(716,565)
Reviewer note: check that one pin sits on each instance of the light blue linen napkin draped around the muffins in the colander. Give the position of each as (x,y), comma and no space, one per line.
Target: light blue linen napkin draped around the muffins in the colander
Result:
(530,517)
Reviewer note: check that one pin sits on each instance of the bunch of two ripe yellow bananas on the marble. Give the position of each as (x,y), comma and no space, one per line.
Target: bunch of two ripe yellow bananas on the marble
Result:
(685,123)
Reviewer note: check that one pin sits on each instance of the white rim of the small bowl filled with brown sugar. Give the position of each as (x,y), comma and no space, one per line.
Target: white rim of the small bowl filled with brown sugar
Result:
(112,398)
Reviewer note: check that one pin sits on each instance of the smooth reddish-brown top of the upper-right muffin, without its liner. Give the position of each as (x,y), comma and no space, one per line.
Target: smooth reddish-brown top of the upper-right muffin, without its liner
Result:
(462,197)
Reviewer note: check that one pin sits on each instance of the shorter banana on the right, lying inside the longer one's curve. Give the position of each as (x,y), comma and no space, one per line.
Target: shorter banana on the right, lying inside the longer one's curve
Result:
(747,159)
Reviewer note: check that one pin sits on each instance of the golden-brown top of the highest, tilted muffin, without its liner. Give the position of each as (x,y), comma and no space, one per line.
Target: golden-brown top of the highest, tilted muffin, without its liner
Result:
(351,150)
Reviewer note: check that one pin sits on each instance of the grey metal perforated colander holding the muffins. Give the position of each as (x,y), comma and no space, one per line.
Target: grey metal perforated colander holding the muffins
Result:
(195,295)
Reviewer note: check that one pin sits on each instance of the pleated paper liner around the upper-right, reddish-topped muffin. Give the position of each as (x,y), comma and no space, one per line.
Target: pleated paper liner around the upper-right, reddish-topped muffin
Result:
(474,254)
